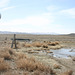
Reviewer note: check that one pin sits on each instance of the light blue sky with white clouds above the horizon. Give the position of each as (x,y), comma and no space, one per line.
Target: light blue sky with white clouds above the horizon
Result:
(41,16)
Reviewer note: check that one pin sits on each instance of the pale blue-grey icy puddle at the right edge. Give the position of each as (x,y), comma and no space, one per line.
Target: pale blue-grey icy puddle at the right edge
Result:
(63,53)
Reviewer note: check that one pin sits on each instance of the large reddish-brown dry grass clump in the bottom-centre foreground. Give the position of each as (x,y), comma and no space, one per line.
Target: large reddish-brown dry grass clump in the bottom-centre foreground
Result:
(32,65)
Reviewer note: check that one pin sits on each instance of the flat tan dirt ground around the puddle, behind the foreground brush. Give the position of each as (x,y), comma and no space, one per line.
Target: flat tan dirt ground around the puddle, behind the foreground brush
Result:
(59,65)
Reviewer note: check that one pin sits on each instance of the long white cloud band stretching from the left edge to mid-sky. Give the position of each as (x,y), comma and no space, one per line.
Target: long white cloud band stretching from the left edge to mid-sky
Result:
(34,21)
